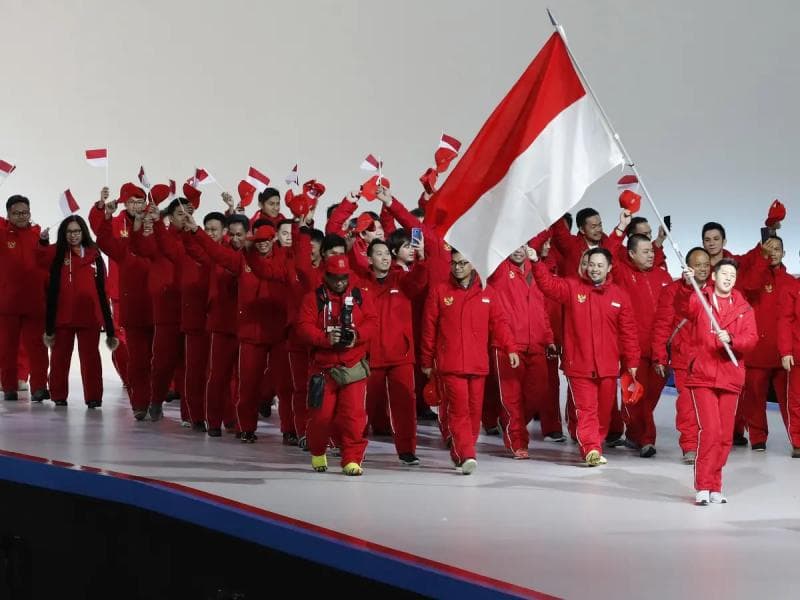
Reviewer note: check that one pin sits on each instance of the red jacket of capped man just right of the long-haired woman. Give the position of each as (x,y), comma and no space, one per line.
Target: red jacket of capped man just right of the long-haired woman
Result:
(136,304)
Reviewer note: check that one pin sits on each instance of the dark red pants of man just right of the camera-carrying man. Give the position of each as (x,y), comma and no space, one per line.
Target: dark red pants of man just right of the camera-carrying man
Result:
(391,405)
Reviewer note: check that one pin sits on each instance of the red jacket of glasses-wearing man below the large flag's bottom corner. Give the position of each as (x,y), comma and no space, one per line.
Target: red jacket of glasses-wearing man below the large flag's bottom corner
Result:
(458,327)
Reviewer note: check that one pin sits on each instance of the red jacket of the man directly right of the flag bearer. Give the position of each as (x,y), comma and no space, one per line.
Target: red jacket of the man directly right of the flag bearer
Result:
(762,286)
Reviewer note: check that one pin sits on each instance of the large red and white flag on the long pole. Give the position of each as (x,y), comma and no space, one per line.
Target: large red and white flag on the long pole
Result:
(533,159)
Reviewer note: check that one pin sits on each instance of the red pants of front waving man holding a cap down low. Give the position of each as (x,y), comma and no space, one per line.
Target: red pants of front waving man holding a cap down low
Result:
(594,398)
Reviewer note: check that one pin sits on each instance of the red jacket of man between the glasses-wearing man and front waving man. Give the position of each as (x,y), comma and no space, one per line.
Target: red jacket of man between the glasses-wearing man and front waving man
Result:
(523,305)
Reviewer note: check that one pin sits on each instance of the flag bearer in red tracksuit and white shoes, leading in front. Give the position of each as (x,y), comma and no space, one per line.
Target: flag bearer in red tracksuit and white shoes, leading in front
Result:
(713,380)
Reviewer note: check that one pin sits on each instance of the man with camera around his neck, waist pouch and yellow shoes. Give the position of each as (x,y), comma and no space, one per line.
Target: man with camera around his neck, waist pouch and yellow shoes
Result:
(338,322)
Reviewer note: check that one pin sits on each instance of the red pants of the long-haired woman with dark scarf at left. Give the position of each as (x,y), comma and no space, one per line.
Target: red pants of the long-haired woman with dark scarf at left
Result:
(89,355)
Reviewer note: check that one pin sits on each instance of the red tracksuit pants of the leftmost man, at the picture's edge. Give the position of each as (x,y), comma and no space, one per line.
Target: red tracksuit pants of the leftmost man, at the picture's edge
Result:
(28,330)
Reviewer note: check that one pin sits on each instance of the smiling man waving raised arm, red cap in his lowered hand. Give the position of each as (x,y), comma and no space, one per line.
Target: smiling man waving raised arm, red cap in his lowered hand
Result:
(599,338)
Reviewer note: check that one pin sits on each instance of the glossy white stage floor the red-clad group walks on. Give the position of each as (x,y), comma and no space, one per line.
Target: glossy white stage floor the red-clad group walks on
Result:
(625,530)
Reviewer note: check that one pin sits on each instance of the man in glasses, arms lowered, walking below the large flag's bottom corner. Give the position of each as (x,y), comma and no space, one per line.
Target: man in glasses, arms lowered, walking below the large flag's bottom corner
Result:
(460,316)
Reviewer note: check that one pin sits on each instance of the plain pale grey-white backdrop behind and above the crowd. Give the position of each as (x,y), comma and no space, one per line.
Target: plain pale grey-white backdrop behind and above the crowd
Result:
(704,93)
